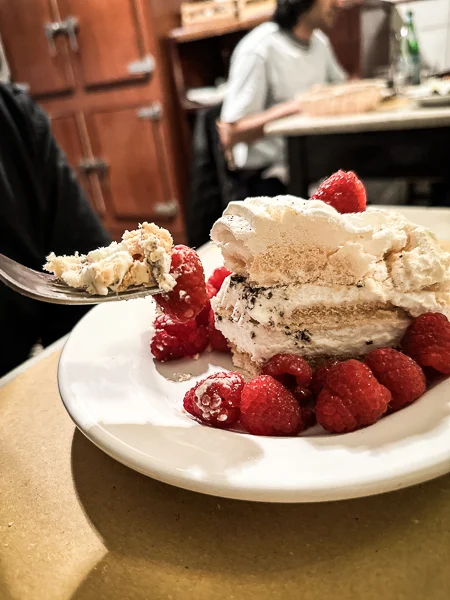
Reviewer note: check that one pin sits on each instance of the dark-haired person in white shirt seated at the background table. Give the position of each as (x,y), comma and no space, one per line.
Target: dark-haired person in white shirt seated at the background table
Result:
(270,67)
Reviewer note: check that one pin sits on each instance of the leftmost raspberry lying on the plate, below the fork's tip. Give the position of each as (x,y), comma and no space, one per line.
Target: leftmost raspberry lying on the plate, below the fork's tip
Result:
(173,339)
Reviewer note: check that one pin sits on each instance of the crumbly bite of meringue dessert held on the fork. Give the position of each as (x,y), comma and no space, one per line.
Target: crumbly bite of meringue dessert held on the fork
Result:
(143,257)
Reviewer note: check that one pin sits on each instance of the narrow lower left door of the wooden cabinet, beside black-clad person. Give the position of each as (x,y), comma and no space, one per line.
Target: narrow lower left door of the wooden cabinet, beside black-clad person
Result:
(70,133)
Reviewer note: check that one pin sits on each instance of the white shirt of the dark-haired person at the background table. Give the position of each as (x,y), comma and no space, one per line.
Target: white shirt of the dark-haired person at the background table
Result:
(270,66)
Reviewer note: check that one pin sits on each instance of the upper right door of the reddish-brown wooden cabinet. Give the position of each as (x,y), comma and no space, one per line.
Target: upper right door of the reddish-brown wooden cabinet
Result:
(110,39)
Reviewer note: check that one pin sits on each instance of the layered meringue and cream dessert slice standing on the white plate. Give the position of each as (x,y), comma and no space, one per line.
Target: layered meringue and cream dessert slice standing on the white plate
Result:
(311,281)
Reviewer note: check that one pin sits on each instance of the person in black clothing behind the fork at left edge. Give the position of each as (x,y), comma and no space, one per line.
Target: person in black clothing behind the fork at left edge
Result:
(42,208)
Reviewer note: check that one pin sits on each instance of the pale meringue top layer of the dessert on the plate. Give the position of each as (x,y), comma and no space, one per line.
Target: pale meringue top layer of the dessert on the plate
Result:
(285,240)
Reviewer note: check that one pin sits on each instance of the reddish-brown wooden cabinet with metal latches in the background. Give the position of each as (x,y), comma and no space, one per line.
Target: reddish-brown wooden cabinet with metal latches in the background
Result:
(96,74)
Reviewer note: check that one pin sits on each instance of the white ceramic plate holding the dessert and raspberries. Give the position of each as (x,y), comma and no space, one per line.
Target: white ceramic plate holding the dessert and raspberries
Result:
(131,408)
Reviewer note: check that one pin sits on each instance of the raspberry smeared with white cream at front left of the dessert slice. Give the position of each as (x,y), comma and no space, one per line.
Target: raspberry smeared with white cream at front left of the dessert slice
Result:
(216,399)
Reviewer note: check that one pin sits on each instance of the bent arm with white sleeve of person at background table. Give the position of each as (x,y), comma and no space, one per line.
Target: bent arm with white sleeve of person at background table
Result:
(244,114)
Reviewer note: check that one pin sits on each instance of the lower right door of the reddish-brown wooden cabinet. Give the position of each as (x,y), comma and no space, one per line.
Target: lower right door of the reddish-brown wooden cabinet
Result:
(138,185)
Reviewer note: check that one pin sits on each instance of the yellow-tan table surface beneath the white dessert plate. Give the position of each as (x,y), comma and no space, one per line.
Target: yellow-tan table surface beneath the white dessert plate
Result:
(76,524)
